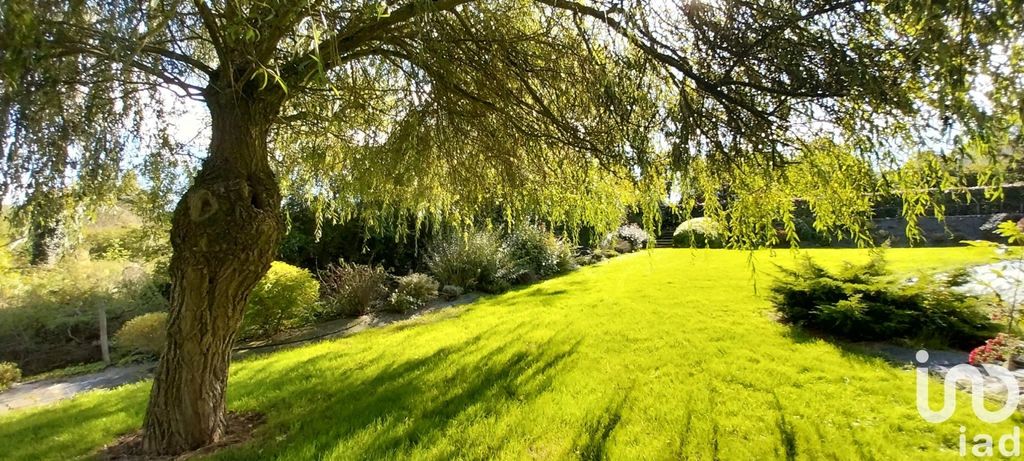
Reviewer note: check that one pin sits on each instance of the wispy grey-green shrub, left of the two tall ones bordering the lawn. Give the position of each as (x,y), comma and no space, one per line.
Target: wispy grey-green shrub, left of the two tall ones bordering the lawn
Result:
(477,262)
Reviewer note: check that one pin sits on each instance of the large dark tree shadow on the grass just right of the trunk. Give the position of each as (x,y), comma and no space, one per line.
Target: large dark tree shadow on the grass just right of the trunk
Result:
(408,404)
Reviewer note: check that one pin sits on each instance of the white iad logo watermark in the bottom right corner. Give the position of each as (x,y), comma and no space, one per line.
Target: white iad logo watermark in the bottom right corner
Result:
(983,444)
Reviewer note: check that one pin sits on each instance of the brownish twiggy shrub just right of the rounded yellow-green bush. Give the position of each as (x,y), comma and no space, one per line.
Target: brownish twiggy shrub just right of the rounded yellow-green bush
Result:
(353,290)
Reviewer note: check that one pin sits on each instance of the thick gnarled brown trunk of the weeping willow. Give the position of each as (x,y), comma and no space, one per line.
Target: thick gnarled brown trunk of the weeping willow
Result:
(225,233)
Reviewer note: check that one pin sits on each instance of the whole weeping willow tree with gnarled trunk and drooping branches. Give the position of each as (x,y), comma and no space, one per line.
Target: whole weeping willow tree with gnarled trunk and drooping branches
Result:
(558,110)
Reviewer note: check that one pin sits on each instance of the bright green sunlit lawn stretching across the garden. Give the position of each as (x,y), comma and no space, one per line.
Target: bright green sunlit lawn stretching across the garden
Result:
(663,355)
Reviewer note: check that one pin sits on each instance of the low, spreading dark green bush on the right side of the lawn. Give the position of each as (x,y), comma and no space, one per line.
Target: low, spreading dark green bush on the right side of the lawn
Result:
(867,304)
